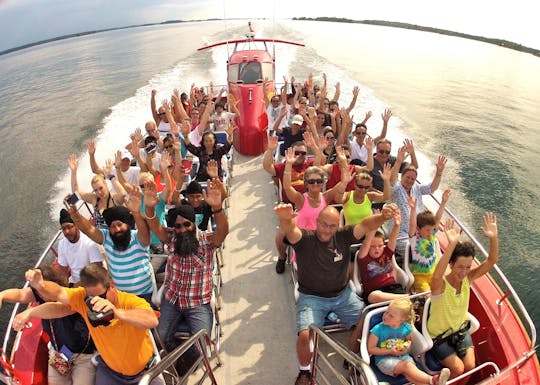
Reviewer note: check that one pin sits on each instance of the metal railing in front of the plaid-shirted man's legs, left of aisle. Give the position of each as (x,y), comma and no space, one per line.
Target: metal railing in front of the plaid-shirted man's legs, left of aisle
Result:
(165,366)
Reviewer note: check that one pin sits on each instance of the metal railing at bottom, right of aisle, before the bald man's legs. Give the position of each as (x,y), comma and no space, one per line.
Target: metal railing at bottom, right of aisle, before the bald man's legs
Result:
(324,365)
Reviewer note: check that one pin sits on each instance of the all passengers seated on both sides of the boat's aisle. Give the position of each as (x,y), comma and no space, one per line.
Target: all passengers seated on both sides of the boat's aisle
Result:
(144,200)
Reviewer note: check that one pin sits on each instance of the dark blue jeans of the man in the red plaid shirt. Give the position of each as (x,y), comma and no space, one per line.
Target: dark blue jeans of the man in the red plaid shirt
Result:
(172,317)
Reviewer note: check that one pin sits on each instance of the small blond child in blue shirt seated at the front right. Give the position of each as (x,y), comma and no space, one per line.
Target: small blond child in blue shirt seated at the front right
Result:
(389,342)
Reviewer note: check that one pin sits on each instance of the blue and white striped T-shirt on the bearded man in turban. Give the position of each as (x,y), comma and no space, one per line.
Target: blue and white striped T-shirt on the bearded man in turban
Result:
(130,269)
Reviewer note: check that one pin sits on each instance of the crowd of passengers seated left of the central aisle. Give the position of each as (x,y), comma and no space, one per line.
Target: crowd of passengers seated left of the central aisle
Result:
(101,294)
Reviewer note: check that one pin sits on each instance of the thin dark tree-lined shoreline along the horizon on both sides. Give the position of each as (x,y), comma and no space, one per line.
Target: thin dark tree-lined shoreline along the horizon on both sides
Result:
(499,42)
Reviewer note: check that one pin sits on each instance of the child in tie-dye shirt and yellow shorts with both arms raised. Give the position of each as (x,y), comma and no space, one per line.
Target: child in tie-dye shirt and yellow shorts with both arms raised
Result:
(425,248)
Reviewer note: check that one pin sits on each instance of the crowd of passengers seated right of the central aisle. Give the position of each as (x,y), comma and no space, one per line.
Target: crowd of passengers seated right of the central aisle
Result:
(341,186)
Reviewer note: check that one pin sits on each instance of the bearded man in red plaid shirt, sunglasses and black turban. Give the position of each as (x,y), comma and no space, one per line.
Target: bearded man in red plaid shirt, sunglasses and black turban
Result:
(188,274)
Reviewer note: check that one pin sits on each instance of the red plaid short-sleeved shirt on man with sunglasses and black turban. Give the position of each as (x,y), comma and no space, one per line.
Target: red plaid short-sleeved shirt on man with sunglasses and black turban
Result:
(188,281)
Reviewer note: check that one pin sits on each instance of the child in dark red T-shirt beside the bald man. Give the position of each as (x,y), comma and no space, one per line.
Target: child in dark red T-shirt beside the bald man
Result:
(375,265)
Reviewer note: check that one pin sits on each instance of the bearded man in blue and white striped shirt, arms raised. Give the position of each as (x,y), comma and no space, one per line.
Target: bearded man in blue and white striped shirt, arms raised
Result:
(127,249)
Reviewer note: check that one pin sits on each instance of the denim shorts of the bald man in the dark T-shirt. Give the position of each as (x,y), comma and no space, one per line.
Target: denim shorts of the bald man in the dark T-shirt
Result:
(312,309)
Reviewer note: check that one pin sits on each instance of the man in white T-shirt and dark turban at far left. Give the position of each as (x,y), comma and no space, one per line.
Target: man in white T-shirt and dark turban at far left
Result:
(75,250)
